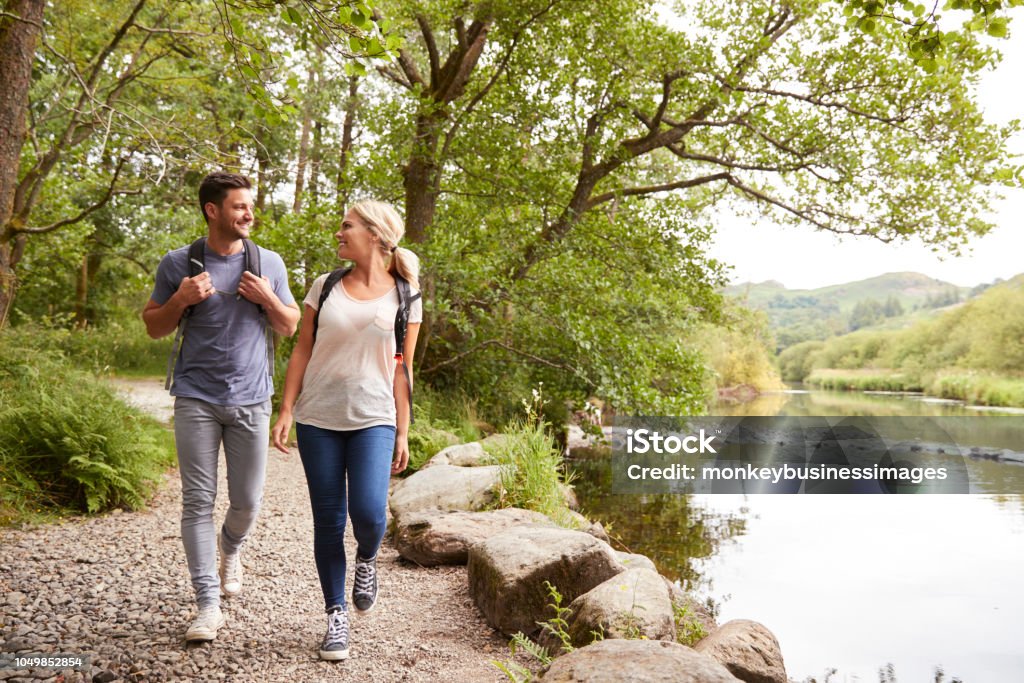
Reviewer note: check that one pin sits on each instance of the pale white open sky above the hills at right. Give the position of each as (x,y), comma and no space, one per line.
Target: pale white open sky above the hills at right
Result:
(803,259)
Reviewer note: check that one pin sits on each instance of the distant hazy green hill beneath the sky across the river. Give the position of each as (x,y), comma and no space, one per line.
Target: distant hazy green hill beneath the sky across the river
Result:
(798,316)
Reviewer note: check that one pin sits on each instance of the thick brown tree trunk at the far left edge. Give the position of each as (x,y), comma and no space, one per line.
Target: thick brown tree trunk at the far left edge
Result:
(18,51)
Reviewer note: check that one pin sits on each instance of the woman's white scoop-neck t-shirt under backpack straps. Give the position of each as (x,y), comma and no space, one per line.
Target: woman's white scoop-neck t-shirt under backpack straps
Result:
(349,383)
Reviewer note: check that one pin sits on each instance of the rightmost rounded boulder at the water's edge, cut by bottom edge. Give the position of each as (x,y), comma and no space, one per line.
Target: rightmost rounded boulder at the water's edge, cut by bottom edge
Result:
(748,650)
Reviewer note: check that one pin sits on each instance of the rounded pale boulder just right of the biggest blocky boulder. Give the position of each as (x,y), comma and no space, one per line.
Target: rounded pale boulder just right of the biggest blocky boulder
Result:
(632,605)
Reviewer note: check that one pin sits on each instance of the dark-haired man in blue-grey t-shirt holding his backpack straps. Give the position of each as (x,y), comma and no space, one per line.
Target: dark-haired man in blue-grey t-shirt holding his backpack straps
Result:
(222,383)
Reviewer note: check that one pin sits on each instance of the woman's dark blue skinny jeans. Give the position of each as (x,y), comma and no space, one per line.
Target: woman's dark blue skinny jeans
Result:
(358,462)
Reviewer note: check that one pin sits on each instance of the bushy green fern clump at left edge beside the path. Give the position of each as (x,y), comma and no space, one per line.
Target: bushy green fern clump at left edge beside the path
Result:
(68,444)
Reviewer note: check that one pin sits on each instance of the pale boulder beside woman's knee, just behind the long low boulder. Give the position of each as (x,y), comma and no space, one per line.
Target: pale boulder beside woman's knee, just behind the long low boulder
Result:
(446,488)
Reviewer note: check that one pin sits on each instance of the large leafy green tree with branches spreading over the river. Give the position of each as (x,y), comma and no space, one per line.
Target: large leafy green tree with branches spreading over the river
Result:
(542,147)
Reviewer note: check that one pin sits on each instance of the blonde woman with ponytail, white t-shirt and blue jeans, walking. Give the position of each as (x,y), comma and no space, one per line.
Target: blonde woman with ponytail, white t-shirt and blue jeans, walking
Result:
(353,413)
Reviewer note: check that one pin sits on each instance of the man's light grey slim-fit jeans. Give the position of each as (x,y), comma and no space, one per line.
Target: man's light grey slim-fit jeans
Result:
(199,431)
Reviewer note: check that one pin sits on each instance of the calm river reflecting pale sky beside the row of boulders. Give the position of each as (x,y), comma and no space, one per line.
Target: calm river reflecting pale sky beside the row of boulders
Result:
(852,583)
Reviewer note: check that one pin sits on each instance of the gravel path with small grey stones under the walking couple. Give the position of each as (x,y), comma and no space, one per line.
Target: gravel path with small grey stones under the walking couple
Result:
(116,588)
